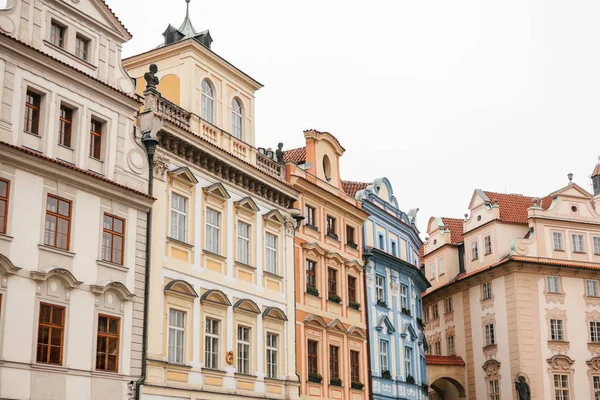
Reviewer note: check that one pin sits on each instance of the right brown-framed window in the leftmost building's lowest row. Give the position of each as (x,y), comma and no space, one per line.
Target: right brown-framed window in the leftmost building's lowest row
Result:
(107,343)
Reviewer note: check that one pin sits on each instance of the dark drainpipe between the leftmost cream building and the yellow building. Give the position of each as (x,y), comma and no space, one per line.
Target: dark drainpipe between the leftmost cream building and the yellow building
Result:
(150,144)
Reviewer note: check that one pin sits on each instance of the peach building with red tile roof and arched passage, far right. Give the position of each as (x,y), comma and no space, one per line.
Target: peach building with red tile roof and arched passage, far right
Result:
(517,283)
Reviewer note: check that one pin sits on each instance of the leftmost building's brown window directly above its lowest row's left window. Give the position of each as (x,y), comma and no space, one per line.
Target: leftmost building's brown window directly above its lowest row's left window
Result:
(58,222)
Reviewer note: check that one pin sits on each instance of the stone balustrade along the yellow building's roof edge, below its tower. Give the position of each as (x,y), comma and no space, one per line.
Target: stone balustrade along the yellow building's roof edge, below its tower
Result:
(176,115)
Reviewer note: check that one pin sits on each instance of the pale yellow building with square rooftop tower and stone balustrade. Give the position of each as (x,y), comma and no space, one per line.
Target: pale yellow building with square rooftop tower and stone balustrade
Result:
(222,267)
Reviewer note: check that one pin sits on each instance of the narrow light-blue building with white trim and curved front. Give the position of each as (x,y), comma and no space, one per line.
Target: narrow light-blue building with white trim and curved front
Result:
(394,283)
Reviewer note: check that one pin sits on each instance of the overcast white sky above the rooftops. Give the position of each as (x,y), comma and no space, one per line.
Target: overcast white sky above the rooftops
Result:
(441,97)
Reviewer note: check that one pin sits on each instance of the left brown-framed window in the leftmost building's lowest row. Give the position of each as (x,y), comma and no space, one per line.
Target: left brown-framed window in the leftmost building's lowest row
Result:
(51,329)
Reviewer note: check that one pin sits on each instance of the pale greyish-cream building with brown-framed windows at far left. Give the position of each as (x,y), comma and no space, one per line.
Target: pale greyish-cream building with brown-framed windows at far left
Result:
(73,204)
